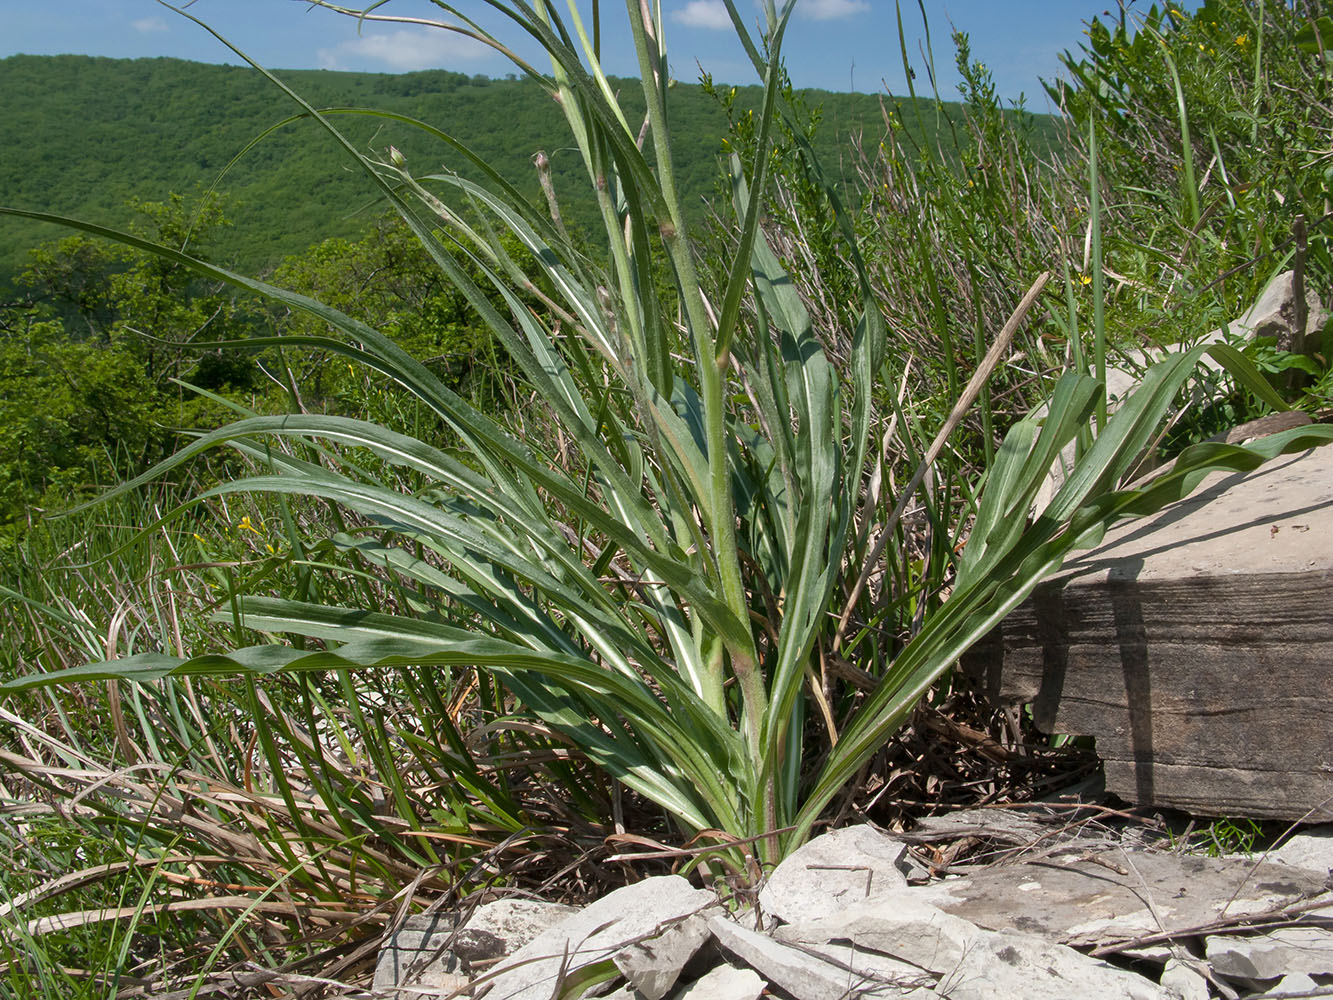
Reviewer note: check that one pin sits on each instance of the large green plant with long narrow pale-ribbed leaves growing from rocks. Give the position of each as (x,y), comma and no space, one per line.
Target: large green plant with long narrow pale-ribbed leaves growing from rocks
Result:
(661,589)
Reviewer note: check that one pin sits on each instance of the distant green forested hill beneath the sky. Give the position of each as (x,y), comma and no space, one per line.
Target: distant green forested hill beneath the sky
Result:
(85,137)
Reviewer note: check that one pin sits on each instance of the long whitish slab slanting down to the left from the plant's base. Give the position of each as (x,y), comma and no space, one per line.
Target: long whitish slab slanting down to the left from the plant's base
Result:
(598,934)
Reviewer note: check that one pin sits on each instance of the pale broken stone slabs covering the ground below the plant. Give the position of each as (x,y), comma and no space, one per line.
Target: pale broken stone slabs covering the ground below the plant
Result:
(1068,906)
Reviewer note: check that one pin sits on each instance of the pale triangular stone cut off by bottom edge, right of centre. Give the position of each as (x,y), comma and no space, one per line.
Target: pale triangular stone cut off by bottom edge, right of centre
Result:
(1020,966)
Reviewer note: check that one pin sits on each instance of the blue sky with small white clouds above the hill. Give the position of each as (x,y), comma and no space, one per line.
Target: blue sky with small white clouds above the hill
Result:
(834,45)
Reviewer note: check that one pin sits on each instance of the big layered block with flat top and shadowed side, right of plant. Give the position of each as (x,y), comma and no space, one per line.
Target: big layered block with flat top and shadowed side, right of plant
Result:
(1158,642)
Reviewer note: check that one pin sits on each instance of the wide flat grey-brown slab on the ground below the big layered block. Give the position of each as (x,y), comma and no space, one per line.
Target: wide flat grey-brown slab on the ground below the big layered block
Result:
(1082,902)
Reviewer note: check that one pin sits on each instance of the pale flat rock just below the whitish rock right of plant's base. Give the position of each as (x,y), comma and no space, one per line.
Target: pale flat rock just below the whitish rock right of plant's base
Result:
(906,929)
